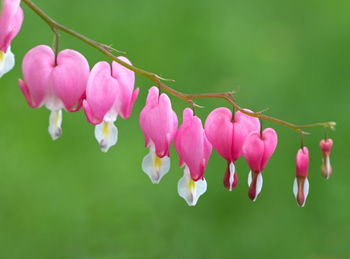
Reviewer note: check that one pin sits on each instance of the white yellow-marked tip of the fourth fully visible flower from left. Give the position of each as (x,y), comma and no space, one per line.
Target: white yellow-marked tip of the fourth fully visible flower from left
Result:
(189,189)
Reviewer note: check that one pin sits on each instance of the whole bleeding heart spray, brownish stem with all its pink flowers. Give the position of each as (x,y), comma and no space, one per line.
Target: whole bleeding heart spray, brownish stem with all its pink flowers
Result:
(62,80)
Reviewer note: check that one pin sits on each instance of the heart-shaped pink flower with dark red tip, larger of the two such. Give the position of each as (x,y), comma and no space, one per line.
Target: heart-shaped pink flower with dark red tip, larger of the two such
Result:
(227,136)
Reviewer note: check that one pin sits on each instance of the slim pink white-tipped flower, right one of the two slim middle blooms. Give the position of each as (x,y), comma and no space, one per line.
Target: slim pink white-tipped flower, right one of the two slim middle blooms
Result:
(194,151)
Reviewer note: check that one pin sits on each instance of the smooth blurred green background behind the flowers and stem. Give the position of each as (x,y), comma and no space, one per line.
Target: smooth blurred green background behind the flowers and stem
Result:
(67,199)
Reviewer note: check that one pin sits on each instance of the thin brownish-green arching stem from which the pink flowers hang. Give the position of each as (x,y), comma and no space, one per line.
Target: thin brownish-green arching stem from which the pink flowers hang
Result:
(228,96)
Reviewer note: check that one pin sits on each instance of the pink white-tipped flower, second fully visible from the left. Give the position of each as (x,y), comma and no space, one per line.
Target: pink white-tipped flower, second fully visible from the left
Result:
(109,94)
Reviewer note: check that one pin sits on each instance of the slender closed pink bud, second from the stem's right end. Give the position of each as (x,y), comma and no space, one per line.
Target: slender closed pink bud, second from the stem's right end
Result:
(301,183)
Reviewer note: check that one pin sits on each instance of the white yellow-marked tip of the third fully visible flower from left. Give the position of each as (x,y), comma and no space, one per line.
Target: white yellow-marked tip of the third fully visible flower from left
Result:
(154,166)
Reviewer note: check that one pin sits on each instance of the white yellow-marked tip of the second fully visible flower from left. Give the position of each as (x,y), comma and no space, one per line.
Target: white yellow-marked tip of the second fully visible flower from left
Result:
(106,134)
